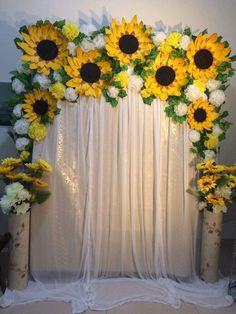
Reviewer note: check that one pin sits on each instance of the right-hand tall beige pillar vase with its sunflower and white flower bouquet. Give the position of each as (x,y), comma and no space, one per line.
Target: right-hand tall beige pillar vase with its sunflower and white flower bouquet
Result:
(216,189)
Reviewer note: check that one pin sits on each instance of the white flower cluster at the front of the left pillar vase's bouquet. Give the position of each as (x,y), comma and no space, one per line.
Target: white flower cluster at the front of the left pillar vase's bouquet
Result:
(16,200)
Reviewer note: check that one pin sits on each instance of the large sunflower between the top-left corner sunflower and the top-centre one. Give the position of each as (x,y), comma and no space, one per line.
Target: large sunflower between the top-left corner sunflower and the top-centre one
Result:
(86,73)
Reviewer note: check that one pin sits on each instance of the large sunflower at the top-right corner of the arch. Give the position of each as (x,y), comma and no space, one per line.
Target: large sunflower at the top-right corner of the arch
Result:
(205,54)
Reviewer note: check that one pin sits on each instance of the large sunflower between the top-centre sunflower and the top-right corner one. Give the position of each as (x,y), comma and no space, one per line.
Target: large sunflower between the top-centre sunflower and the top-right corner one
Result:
(169,75)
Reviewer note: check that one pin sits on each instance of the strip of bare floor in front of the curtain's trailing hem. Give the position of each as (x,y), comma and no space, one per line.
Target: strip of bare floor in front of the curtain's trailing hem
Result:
(129,308)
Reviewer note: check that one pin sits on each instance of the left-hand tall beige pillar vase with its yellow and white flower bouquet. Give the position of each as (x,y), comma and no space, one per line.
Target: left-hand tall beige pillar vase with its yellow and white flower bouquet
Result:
(24,187)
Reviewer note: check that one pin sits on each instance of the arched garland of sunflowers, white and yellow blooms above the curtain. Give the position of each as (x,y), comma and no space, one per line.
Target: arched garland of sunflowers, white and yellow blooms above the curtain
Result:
(189,73)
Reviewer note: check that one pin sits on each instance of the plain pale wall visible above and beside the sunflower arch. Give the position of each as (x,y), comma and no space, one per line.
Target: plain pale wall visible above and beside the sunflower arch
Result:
(216,15)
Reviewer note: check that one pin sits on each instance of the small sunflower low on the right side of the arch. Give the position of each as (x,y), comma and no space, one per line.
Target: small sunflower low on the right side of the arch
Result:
(201,115)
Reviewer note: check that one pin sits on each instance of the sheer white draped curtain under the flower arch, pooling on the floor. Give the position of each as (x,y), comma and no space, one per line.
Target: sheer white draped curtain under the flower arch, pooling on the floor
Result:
(119,224)
